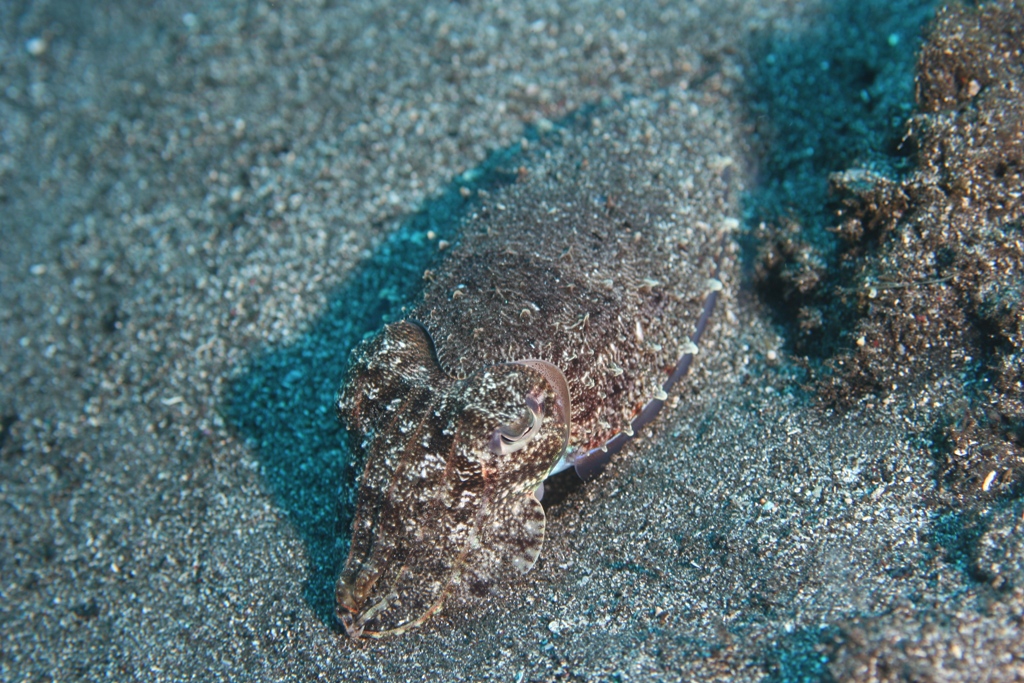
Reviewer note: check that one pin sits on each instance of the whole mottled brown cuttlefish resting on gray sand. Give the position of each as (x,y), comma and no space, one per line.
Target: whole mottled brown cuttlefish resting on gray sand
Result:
(596,263)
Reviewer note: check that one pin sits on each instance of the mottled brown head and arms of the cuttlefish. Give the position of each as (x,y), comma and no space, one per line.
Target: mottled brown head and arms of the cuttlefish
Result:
(447,497)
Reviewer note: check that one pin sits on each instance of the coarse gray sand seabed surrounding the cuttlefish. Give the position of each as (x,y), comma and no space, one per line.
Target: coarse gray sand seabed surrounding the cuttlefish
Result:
(206,206)
